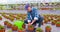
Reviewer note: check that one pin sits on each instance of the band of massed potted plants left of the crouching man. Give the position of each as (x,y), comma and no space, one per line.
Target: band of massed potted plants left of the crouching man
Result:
(13,16)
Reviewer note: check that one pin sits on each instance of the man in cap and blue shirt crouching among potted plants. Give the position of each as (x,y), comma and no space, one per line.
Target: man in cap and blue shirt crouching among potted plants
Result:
(33,16)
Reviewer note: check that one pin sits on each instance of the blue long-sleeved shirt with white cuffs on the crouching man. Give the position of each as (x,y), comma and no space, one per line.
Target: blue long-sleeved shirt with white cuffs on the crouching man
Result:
(34,14)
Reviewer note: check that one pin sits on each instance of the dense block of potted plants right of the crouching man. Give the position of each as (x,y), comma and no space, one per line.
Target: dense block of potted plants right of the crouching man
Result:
(54,19)
